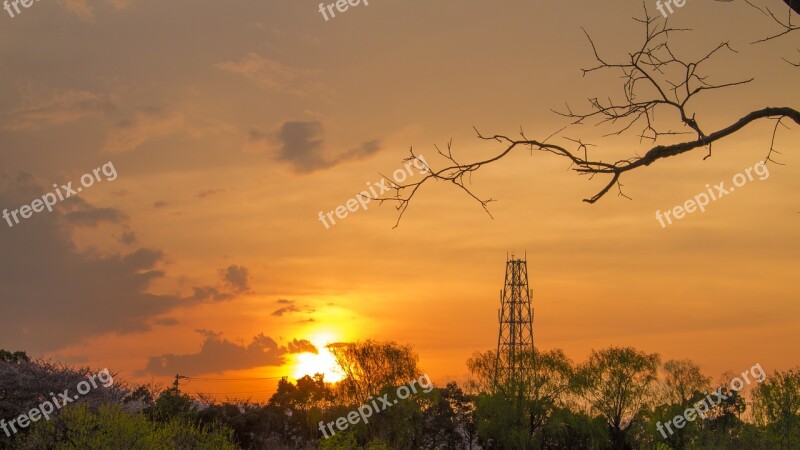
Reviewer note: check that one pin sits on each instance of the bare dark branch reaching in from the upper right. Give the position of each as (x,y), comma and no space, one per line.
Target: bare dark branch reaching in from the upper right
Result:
(656,79)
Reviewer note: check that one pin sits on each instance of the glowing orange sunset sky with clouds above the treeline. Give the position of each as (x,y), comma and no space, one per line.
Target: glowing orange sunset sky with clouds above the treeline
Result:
(231,125)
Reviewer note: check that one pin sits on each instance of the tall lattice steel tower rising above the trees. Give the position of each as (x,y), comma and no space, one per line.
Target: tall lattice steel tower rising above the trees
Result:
(515,338)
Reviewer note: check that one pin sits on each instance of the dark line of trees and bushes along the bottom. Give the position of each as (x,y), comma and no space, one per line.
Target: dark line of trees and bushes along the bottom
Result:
(619,398)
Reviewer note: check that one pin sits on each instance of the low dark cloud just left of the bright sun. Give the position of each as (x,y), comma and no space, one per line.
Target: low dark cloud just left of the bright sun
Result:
(218,355)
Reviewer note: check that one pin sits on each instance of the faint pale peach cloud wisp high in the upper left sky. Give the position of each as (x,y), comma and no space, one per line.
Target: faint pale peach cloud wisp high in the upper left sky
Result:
(270,74)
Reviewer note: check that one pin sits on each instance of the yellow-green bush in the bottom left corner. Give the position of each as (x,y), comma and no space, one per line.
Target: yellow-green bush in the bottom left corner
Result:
(79,428)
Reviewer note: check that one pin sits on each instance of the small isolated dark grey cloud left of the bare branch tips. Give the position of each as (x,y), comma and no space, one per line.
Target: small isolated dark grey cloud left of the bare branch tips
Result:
(301,145)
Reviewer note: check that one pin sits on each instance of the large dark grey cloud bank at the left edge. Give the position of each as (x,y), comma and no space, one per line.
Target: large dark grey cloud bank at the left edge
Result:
(54,295)
